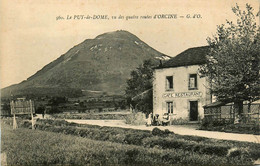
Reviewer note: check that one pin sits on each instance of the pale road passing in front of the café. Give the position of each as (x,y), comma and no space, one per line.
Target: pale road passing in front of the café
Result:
(178,129)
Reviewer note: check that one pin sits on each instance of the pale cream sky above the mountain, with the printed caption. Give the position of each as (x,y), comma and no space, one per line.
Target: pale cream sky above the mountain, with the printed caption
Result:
(31,36)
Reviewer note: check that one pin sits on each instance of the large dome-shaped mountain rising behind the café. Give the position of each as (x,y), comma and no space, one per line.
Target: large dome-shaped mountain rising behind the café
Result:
(102,64)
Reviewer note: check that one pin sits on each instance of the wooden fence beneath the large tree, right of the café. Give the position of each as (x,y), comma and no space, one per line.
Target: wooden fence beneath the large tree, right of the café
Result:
(226,113)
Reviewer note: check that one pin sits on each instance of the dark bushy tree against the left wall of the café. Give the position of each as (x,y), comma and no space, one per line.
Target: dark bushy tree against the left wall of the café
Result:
(139,88)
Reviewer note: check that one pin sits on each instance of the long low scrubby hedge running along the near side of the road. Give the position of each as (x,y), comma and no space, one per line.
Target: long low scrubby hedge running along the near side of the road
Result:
(155,138)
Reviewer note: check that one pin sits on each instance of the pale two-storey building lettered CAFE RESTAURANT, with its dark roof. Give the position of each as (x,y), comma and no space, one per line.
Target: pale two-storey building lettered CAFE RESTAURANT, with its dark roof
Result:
(177,87)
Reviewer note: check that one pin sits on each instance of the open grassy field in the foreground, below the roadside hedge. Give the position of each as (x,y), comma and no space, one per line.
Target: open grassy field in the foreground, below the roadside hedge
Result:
(48,148)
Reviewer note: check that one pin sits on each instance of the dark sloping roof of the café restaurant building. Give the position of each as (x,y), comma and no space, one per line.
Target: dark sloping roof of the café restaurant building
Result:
(191,56)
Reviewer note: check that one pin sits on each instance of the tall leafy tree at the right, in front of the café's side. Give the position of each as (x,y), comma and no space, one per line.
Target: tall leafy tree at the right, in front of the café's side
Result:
(233,61)
